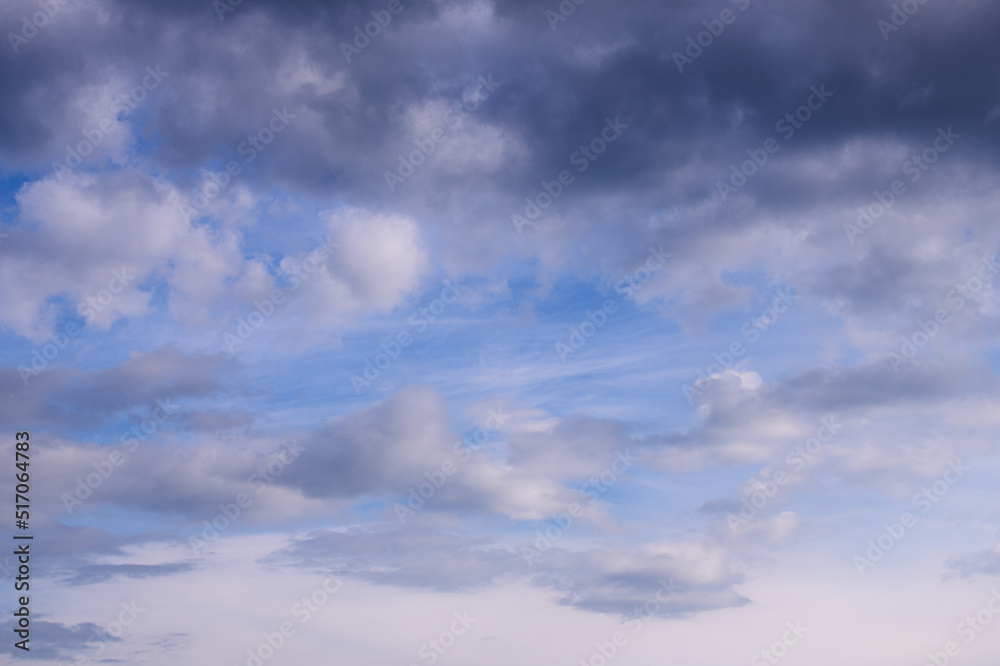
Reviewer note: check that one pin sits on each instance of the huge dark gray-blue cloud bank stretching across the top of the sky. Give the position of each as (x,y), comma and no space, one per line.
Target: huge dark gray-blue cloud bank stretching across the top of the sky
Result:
(657,182)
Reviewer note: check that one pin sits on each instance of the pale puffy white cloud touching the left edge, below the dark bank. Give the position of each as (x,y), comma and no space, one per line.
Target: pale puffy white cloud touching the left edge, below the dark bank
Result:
(100,243)
